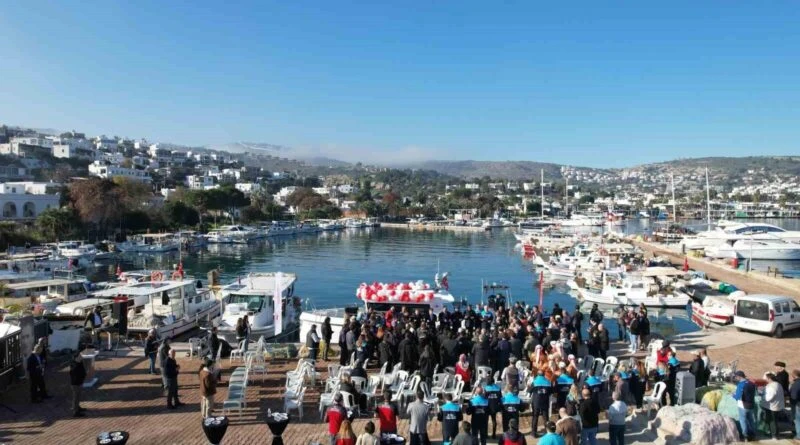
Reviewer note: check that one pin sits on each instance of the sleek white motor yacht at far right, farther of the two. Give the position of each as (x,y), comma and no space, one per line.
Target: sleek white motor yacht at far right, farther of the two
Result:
(729,232)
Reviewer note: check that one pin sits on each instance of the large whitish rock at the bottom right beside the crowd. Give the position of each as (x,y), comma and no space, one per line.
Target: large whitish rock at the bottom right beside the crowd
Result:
(694,424)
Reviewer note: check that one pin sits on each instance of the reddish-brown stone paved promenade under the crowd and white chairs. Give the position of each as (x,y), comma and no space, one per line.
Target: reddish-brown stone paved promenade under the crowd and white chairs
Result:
(130,399)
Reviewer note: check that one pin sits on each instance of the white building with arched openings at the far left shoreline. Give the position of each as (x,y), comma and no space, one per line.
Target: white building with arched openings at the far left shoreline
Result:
(26,200)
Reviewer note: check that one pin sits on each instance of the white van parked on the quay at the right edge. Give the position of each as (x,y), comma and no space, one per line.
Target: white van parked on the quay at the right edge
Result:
(770,314)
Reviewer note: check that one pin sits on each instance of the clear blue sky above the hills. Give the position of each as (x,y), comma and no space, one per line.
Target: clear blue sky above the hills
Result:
(599,84)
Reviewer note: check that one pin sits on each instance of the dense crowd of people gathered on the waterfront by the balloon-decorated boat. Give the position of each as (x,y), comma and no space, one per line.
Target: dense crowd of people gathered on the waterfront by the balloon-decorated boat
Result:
(508,340)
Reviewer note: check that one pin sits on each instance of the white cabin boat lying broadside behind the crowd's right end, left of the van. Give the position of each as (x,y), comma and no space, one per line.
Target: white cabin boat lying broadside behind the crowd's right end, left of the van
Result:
(633,291)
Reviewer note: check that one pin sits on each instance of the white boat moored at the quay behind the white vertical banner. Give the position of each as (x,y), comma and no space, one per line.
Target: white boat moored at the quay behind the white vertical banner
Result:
(268,301)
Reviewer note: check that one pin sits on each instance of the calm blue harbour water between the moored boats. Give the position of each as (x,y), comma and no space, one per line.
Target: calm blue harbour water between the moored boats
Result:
(331,265)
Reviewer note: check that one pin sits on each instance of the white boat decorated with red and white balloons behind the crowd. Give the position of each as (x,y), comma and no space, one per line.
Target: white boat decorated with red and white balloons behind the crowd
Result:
(380,297)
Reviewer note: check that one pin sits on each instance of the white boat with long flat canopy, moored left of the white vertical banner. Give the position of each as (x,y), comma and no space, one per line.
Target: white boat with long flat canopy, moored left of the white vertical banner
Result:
(172,307)
